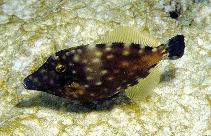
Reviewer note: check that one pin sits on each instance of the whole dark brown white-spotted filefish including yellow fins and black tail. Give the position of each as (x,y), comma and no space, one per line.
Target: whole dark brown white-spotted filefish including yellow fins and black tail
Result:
(121,59)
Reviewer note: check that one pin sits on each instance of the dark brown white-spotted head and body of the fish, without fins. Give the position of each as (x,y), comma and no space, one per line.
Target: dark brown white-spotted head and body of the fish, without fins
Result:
(94,73)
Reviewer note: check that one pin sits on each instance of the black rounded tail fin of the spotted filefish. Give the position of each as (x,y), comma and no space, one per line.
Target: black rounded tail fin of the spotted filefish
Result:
(175,47)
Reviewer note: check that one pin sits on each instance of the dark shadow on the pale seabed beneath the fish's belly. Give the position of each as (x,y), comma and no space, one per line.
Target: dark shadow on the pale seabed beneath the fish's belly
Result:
(61,104)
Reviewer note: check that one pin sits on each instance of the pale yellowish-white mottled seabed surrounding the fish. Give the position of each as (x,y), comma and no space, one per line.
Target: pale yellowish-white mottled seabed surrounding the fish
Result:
(31,30)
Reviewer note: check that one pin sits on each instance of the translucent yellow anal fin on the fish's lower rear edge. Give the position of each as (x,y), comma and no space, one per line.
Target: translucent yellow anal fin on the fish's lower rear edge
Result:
(145,86)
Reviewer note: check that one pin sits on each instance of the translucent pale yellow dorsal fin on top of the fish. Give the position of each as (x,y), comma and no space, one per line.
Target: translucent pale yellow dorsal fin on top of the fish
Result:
(129,35)
